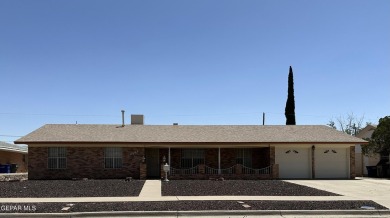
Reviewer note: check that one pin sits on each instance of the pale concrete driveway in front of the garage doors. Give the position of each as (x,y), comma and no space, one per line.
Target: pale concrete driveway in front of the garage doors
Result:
(377,190)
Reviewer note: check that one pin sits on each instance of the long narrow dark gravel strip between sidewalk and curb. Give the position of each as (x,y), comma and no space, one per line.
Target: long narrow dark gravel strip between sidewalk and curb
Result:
(187,206)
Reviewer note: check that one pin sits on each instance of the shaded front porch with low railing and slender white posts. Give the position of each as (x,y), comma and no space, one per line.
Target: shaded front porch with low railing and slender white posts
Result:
(210,163)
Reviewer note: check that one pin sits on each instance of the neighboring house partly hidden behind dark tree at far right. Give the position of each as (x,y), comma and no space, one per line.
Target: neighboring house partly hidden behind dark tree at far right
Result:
(362,161)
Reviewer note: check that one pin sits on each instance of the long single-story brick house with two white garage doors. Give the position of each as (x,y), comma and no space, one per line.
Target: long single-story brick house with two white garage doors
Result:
(193,152)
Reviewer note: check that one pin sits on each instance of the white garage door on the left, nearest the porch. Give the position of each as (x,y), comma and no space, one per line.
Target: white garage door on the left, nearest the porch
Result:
(293,162)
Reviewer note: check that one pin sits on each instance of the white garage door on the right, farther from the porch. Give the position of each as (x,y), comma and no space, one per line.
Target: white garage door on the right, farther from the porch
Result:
(332,163)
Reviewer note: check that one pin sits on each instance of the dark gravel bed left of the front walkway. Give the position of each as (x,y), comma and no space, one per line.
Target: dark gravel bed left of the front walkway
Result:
(70,188)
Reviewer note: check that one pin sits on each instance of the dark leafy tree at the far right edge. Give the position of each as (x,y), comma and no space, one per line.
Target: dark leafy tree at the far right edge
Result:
(380,139)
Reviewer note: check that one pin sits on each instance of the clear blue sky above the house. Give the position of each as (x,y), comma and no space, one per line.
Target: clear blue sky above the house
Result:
(191,62)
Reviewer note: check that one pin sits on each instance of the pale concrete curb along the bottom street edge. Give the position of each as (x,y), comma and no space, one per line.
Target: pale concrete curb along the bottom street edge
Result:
(205,212)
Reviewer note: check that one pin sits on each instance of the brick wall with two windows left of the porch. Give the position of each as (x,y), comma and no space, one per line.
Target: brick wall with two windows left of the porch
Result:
(84,162)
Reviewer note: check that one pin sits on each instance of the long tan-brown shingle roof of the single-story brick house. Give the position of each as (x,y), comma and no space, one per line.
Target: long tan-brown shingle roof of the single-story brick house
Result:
(64,133)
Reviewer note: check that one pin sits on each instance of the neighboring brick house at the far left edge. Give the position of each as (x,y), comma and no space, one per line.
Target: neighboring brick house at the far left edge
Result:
(14,154)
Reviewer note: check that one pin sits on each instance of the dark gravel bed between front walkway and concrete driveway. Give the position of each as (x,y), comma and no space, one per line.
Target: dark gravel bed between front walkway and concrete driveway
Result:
(238,187)
